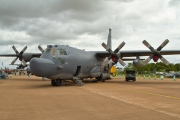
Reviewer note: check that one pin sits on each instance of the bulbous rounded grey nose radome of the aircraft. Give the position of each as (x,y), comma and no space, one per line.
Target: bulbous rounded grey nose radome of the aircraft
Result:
(42,67)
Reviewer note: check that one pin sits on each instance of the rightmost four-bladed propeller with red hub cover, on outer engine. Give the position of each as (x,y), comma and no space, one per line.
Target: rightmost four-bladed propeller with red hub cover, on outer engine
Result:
(156,52)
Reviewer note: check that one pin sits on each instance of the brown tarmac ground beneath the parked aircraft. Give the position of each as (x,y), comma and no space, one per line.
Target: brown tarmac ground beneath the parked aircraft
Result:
(23,98)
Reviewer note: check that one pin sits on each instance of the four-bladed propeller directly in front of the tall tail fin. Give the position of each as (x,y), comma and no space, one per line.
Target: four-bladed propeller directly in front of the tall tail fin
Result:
(114,56)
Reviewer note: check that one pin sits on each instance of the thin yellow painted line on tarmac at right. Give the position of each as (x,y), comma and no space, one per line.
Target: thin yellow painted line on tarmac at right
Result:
(149,93)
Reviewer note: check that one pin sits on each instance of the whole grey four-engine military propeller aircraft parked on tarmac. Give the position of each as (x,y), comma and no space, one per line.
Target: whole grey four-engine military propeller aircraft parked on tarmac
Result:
(62,62)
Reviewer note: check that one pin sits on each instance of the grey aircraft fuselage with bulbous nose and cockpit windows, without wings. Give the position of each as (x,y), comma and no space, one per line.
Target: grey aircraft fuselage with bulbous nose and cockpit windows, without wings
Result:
(64,62)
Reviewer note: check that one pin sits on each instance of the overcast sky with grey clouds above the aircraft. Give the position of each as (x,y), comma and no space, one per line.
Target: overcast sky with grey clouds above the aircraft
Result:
(84,24)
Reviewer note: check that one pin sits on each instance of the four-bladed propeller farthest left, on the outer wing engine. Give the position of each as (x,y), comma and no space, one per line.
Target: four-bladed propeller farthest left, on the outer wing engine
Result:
(19,55)
